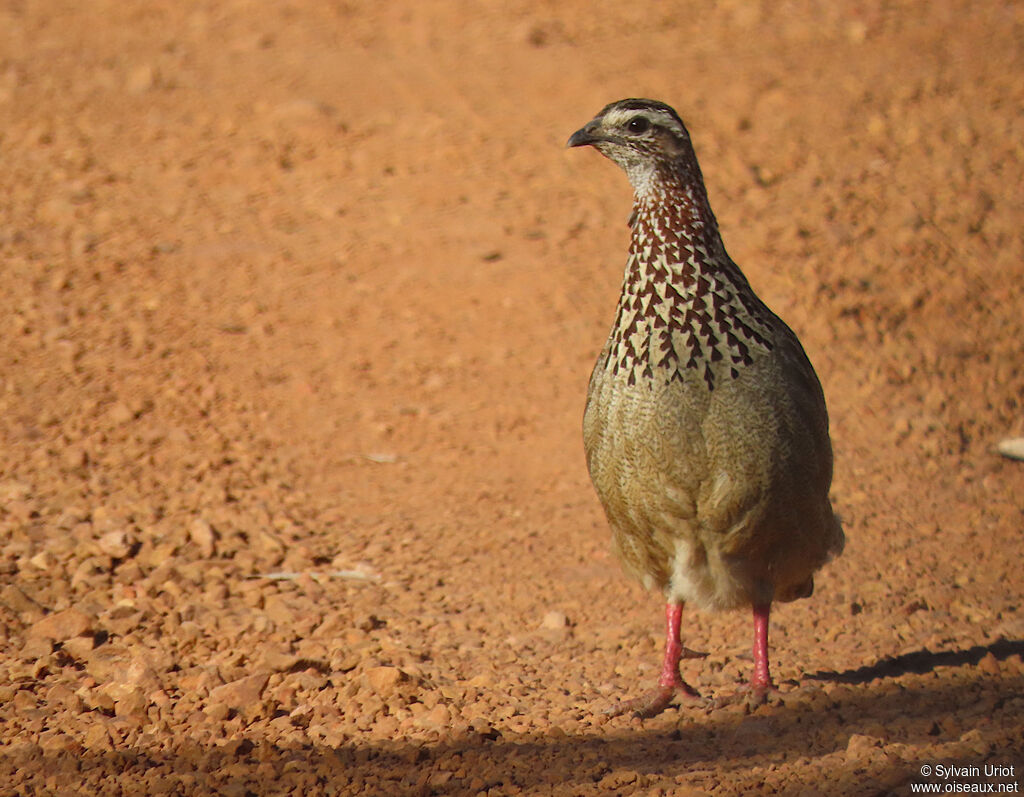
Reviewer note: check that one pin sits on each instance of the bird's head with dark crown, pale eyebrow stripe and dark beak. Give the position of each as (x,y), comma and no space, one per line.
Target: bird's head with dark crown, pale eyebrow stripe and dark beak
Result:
(647,138)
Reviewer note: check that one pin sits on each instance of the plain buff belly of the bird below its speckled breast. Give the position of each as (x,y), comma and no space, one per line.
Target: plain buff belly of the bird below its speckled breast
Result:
(692,516)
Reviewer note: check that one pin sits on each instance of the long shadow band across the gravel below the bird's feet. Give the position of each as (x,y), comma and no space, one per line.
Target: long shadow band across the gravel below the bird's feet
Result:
(622,758)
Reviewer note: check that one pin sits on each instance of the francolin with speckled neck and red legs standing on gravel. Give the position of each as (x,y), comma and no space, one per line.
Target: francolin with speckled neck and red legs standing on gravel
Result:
(706,430)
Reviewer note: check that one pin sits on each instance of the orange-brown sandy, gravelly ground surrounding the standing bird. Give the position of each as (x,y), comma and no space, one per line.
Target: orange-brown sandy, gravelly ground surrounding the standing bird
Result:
(300,305)
